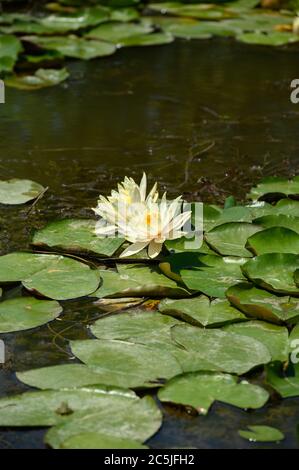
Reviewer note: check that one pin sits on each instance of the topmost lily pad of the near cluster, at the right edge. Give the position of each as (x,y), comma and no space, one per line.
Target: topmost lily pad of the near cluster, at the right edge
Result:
(274,188)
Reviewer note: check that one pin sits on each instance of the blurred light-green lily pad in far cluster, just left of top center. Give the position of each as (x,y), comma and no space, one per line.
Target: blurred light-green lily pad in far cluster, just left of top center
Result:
(116,32)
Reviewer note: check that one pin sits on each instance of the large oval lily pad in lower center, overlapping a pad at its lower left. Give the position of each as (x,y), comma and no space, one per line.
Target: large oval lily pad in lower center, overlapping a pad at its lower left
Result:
(126,364)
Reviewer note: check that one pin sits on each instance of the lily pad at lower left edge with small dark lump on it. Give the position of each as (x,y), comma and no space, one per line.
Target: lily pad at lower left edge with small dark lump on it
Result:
(50,407)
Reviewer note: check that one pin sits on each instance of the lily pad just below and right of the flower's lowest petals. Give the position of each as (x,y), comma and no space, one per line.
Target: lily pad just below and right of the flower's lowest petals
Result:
(214,276)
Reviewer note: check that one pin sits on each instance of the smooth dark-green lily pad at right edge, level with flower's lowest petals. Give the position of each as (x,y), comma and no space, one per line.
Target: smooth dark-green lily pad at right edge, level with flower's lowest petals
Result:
(274,240)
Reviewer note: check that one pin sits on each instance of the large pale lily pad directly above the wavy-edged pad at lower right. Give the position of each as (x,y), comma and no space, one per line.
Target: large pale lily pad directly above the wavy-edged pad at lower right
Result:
(228,351)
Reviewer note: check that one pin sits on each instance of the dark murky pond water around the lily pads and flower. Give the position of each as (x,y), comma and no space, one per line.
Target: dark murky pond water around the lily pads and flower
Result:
(206,119)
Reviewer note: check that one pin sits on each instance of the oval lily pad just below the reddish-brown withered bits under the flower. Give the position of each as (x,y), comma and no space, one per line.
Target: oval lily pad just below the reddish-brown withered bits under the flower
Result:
(135,327)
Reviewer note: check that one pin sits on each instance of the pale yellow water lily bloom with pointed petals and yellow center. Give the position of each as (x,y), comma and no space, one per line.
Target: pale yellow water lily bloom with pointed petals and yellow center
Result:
(141,218)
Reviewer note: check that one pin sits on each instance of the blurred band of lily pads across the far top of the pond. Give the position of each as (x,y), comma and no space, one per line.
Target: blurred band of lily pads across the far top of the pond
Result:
(33,47)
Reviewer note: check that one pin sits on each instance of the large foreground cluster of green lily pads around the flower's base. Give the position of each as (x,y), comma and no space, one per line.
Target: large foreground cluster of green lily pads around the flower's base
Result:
(218,315)
